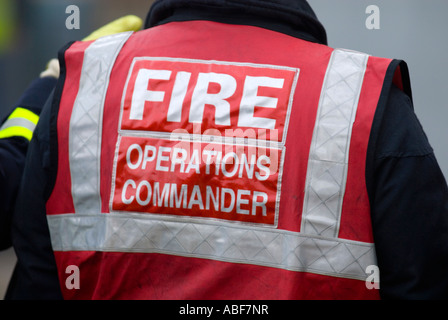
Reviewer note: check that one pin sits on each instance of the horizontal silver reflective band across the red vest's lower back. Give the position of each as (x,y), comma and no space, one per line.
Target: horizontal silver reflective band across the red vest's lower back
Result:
(122,232)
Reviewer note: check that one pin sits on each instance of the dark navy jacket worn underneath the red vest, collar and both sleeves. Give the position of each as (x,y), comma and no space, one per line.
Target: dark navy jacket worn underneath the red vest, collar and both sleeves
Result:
(407,191)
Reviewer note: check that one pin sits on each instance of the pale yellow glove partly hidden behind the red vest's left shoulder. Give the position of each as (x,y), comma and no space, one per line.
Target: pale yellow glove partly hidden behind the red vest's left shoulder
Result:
(123,24)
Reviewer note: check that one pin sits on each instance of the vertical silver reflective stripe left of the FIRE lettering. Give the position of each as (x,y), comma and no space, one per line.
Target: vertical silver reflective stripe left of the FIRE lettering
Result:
(86,121)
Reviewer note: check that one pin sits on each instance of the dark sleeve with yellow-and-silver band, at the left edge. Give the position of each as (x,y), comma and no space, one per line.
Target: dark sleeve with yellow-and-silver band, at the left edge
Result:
(15,133)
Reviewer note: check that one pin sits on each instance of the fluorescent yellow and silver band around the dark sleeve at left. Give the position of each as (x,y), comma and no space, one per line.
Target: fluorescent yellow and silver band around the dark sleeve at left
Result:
(21,123)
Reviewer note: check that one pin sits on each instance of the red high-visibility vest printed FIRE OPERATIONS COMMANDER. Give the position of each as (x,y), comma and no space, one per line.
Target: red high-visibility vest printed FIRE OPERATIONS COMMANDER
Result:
(200,160)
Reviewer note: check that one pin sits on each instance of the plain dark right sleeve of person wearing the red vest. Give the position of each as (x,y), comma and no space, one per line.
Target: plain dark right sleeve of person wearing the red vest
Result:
(409,198)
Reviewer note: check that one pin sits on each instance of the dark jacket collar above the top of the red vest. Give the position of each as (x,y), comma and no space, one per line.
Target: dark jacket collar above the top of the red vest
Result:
(293,17)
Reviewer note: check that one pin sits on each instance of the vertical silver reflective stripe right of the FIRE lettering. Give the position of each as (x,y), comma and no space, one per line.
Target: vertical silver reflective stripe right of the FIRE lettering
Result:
(328,158)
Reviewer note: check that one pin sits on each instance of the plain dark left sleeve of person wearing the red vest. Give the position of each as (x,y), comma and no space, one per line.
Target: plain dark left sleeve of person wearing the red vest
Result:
(35,275)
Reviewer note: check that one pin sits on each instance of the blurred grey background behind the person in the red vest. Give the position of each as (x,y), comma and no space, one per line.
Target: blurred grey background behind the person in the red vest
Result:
(32,32)
